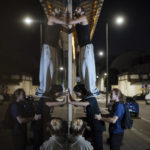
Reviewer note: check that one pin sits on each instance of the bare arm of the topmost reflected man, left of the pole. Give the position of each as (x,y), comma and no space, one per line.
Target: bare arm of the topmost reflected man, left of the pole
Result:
(53,20)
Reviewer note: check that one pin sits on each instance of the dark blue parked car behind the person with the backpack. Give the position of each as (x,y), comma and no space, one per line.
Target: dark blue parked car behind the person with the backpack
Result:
(131,105)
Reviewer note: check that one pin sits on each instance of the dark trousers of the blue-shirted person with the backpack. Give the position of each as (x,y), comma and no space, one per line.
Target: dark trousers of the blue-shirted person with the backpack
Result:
(116,141)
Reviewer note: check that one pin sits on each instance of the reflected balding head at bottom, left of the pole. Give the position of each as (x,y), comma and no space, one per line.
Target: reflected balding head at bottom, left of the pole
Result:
(55,126)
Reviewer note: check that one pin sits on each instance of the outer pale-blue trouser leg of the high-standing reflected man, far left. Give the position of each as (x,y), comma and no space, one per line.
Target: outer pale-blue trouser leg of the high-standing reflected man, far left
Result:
(44,63)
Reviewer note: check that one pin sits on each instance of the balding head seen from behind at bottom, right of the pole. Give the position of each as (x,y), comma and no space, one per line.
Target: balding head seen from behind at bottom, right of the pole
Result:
(77,127)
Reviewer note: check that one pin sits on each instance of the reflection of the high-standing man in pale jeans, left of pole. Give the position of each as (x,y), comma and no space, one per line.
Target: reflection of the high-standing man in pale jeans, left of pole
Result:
(49,60)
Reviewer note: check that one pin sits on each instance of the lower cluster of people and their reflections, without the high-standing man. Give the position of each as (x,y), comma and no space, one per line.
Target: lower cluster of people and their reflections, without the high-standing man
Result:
(52,133)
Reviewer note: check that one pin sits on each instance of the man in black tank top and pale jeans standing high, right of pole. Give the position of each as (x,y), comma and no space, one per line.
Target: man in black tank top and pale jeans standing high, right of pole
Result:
(86,58)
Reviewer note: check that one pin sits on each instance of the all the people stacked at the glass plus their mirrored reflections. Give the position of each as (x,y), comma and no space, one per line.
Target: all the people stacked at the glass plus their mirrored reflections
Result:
(52,133)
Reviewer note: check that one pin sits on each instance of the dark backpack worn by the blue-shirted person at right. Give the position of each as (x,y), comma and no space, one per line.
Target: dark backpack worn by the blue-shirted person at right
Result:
(126,122)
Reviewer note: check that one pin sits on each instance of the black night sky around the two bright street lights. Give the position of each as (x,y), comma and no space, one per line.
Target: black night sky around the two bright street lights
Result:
(20,45)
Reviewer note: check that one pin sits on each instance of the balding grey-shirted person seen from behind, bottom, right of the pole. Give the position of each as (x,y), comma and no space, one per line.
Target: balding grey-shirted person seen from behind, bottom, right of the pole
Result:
(78,142)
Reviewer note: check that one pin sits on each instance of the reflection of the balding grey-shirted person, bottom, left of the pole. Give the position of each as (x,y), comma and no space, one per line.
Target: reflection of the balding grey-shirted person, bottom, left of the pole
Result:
(56,141)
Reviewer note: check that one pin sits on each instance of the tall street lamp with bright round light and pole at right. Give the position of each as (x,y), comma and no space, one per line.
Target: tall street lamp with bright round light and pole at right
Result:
(119,21)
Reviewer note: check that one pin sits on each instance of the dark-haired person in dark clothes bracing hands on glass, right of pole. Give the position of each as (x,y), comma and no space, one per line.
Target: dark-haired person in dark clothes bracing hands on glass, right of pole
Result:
(89,102)
